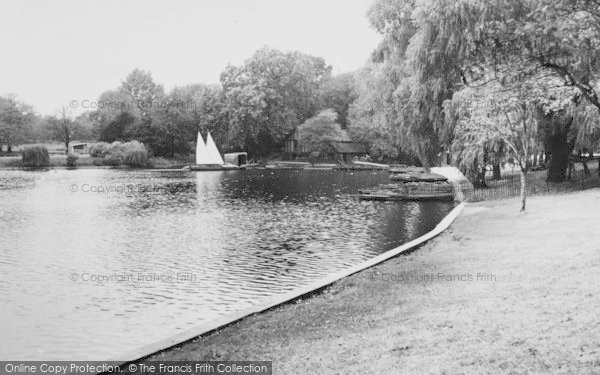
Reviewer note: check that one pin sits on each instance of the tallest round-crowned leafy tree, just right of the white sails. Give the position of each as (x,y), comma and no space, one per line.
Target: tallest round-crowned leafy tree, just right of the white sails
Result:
(271,94)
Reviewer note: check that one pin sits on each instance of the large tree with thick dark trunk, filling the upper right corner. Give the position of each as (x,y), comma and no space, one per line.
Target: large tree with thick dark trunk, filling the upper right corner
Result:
(519,40)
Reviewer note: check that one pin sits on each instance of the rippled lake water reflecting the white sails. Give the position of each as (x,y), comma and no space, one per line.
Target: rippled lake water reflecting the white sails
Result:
(98,262)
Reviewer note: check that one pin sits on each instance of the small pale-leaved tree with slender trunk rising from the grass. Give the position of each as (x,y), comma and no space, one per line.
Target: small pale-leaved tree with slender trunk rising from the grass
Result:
(495,114)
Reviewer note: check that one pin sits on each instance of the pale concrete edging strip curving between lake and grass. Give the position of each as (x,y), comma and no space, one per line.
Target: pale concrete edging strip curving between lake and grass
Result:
(226,320)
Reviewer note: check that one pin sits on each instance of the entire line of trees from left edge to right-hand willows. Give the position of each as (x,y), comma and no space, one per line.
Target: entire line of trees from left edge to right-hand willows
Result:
(477,82)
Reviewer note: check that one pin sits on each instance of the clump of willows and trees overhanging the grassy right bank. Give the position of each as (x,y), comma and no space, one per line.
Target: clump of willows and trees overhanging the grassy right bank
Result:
(484,82)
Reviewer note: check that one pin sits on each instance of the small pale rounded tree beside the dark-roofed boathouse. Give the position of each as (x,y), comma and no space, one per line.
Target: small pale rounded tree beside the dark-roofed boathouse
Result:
(317,132)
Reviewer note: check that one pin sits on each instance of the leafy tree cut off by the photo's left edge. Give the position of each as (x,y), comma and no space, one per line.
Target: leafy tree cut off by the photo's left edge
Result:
(16,119)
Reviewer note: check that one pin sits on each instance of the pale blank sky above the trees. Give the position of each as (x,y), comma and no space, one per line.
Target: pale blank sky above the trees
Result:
(60,51)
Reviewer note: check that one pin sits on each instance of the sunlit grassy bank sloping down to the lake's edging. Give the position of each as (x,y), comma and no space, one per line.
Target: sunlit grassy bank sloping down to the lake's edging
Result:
(534,308)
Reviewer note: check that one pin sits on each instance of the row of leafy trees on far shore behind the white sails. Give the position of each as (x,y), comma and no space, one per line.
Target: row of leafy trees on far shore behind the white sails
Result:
(254,108)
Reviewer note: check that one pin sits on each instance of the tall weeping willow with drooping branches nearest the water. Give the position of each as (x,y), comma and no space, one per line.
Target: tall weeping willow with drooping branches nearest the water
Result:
(426,42)
